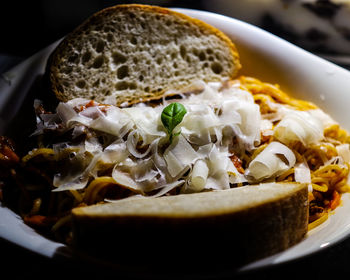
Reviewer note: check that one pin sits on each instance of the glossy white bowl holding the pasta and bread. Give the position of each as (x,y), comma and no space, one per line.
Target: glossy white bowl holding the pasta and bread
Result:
(264,56)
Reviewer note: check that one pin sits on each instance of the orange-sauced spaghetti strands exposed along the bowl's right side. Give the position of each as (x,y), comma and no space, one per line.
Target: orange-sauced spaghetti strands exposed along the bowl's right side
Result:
(329,177)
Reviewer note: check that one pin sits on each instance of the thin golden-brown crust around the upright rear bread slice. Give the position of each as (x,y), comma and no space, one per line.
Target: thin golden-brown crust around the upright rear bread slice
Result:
(60,52)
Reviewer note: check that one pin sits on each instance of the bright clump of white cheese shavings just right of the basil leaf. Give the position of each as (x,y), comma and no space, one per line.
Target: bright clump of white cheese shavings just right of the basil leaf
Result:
(212,111)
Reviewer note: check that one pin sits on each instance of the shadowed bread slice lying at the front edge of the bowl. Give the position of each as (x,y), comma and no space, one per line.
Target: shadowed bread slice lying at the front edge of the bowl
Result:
(249,222)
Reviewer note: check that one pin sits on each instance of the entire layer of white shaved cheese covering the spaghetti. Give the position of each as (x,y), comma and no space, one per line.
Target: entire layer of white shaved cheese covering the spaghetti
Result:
(133,145)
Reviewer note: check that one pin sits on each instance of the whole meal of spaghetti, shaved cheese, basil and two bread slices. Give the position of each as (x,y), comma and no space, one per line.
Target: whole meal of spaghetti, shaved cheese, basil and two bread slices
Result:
(155,143)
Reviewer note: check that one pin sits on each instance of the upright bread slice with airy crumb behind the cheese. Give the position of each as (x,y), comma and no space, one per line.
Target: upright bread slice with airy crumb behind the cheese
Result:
(131,53)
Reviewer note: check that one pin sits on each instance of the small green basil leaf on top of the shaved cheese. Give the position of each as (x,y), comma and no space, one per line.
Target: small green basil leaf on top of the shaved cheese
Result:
(171,116)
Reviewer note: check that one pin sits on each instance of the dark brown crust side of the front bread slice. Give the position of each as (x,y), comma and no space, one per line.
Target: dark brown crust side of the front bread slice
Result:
(245,235)
